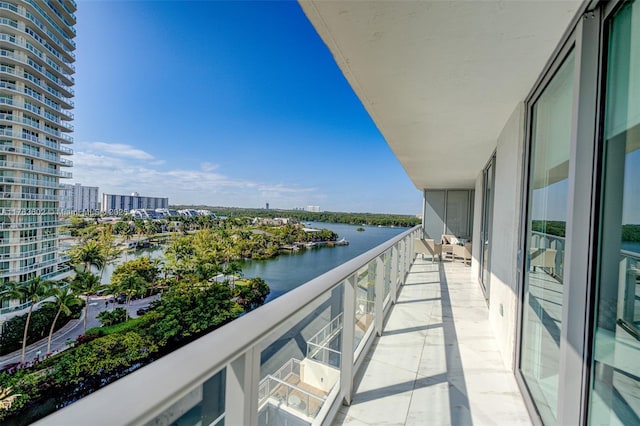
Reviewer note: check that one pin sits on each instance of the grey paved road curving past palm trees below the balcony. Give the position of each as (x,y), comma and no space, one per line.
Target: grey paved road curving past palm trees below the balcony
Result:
(70,332)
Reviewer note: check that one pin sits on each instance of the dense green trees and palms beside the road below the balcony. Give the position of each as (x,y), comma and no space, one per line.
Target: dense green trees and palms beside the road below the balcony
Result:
(202,288)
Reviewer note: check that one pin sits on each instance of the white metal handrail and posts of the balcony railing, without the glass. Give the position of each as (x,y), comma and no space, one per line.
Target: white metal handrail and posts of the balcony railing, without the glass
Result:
(161,391)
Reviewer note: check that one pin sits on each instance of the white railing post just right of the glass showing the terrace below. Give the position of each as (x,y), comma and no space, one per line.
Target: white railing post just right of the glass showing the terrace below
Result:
(348,339)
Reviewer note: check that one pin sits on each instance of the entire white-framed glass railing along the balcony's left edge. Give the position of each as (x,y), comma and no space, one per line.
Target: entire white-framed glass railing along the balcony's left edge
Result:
(292,360)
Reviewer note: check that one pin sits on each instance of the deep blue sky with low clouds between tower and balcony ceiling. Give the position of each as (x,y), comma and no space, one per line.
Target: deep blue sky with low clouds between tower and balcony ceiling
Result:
(224,104)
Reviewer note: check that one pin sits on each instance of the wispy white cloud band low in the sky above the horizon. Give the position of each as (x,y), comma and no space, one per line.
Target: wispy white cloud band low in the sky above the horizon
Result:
(122,169)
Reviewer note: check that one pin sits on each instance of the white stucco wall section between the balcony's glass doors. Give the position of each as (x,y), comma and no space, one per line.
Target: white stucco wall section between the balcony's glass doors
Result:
(504,245)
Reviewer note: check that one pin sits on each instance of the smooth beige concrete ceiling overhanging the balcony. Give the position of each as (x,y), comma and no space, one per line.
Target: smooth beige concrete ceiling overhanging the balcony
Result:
(441,78)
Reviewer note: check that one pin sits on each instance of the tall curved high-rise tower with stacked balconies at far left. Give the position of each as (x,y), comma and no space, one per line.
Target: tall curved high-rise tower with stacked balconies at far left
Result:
(36,87)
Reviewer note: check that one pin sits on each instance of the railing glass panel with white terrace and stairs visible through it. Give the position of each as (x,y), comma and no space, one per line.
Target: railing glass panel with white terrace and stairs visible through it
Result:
(301,366)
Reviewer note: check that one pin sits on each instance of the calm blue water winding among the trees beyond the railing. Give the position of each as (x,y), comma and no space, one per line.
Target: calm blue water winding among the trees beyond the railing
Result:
(288,271)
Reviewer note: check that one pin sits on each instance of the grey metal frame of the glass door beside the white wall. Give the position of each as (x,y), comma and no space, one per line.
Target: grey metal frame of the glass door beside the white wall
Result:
(584,37)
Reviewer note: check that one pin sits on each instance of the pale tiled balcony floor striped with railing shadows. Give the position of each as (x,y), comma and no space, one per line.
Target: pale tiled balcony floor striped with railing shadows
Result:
(437,361)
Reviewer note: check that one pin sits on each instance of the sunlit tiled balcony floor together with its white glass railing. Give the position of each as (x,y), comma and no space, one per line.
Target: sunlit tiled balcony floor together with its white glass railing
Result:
(297,358)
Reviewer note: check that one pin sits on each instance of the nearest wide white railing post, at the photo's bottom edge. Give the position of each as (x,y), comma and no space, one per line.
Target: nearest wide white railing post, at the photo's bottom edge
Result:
(241,393)
